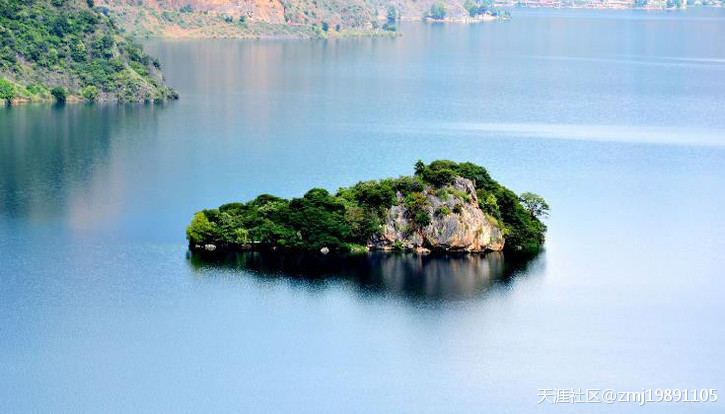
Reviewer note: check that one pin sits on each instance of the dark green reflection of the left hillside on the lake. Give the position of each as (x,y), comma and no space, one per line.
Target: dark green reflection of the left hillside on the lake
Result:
(53,156)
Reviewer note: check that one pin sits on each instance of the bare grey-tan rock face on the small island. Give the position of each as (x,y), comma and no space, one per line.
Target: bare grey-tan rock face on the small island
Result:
(457,224)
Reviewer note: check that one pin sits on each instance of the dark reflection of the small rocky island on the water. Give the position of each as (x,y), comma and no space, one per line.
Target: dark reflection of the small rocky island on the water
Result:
(425,277)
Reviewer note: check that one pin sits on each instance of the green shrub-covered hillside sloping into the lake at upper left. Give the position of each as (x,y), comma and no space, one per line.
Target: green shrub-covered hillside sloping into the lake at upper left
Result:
(67,49)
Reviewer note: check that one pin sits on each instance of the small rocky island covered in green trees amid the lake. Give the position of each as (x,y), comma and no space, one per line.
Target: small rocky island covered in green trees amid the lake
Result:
(444,207)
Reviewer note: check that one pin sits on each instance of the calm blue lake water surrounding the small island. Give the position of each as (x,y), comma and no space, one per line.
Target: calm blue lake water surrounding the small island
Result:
(616,117)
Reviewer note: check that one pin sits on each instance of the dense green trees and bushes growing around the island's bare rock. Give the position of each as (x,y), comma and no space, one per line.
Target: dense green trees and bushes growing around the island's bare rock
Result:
(350,217)
